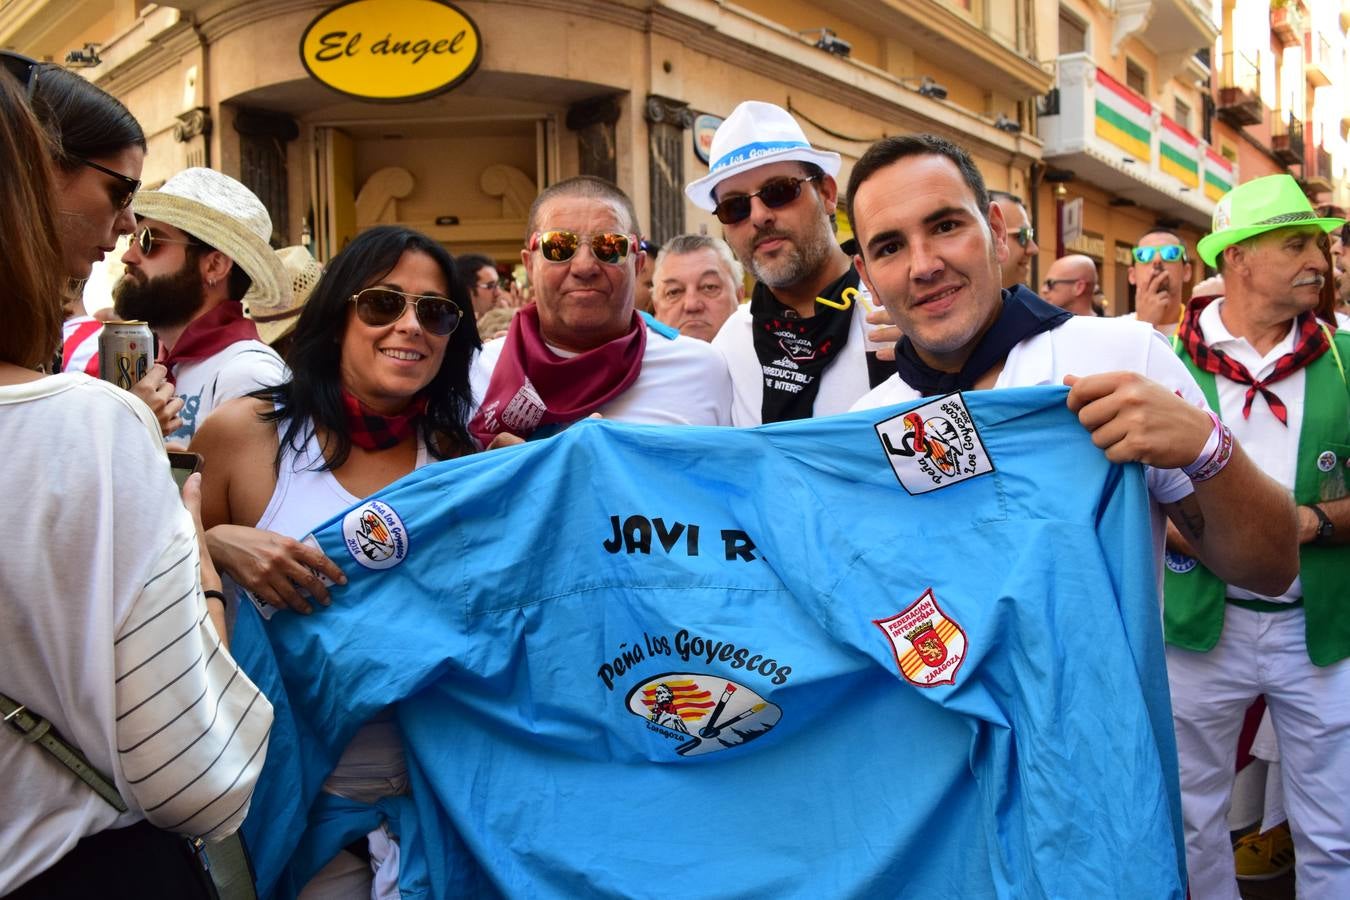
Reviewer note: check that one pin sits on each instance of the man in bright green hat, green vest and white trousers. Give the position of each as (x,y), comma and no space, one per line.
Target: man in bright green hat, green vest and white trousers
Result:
(1276,374)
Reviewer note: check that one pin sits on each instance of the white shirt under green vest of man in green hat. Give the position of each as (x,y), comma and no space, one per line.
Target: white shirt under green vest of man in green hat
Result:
(1271,446)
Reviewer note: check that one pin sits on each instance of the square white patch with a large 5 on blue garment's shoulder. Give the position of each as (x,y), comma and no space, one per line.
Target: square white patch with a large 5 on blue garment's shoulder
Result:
(935,446)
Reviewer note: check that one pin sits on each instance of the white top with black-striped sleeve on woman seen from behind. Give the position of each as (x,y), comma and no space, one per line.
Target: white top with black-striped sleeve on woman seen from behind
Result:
(105,631)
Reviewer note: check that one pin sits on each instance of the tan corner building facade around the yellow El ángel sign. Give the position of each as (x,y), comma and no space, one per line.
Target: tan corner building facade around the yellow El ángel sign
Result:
(561,88)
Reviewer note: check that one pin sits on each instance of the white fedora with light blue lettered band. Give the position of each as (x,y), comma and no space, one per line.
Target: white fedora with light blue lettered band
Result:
(755,134)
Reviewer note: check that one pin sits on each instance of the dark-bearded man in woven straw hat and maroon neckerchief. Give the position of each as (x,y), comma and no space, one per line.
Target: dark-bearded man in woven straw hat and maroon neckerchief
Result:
(200,248)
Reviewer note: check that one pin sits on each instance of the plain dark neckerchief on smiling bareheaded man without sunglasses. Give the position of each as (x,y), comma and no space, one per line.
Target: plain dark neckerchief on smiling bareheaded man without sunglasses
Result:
(1024,315)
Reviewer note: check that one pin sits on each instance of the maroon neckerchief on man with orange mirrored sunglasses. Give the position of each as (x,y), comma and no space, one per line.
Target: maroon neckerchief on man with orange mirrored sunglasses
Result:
(533,387)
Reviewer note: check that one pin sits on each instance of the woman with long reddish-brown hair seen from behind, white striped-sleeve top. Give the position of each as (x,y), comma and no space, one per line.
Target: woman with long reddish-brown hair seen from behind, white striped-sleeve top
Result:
(109,644)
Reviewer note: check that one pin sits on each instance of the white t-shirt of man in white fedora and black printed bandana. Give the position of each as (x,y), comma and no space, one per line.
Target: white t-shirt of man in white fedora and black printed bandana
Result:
(844,381)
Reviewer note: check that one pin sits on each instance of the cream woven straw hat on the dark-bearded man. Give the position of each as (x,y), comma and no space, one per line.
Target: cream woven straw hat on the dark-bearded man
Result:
(221,213)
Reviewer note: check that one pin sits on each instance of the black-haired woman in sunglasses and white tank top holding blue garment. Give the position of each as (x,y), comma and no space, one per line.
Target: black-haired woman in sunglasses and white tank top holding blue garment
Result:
(380,388)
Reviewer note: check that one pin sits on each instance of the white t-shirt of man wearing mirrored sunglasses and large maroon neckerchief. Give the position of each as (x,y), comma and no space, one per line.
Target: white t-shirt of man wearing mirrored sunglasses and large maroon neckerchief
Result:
(682,383)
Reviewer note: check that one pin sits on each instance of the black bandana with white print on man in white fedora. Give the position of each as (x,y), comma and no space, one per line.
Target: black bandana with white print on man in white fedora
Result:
(794,353)
